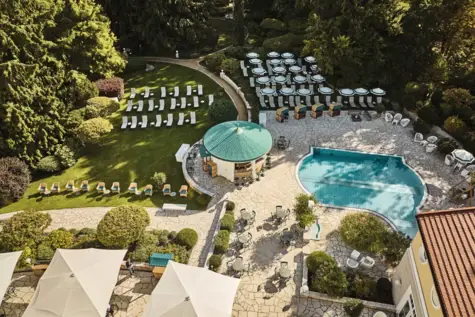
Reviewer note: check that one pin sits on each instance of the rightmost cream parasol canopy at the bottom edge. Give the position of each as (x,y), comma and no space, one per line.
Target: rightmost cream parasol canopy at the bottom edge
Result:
(190,291)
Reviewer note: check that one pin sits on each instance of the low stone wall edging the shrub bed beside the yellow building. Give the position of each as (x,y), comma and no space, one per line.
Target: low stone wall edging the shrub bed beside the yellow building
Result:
(341,300)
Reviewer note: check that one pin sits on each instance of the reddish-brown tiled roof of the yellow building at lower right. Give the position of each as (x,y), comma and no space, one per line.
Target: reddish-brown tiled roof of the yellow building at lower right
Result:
(449,240)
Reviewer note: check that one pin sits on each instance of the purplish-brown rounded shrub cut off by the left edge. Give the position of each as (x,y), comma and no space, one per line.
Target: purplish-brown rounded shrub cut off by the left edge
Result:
(14,179)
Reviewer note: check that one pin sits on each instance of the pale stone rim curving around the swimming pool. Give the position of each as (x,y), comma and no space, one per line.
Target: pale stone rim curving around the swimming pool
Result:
(310,153)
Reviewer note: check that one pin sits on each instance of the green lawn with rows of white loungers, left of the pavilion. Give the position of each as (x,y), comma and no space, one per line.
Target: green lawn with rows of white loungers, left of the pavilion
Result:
(127,156)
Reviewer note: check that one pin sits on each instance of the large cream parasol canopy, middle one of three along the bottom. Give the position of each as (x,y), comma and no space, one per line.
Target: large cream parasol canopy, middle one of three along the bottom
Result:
(77,283)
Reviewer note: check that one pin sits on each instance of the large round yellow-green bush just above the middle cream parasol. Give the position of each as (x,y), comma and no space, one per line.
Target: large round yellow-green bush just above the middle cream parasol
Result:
(122,226)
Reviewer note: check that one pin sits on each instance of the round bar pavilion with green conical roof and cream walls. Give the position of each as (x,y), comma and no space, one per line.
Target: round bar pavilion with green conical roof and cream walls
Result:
(237,149)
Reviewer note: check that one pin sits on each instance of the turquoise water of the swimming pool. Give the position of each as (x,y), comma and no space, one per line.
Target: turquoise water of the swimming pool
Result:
(353,179)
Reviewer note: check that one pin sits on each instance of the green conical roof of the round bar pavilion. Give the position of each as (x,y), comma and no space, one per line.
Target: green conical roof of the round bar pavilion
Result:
(237,141)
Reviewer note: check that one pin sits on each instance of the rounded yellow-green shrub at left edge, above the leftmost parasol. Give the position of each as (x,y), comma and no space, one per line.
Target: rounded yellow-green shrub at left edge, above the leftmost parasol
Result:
(24,229)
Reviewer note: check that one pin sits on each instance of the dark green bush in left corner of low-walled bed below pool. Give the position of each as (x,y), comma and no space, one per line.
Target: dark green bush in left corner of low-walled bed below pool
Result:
(326,276)
